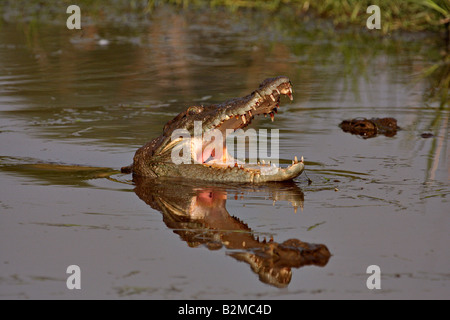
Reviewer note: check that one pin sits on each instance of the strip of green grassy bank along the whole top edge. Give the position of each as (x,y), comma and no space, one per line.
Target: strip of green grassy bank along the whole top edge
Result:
(411,15)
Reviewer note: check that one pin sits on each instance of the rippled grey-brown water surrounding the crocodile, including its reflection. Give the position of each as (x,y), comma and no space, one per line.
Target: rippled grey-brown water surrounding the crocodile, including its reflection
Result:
(90,98)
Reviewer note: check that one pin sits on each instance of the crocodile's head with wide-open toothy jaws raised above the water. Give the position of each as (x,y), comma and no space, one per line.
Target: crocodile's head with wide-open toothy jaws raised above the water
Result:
(154,159)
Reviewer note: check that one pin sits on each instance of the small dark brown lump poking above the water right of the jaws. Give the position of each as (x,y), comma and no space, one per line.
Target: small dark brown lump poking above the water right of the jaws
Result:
(369,128)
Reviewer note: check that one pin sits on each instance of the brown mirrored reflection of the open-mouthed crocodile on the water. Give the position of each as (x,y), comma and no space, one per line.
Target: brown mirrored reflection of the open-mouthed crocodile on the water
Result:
(197,213)
